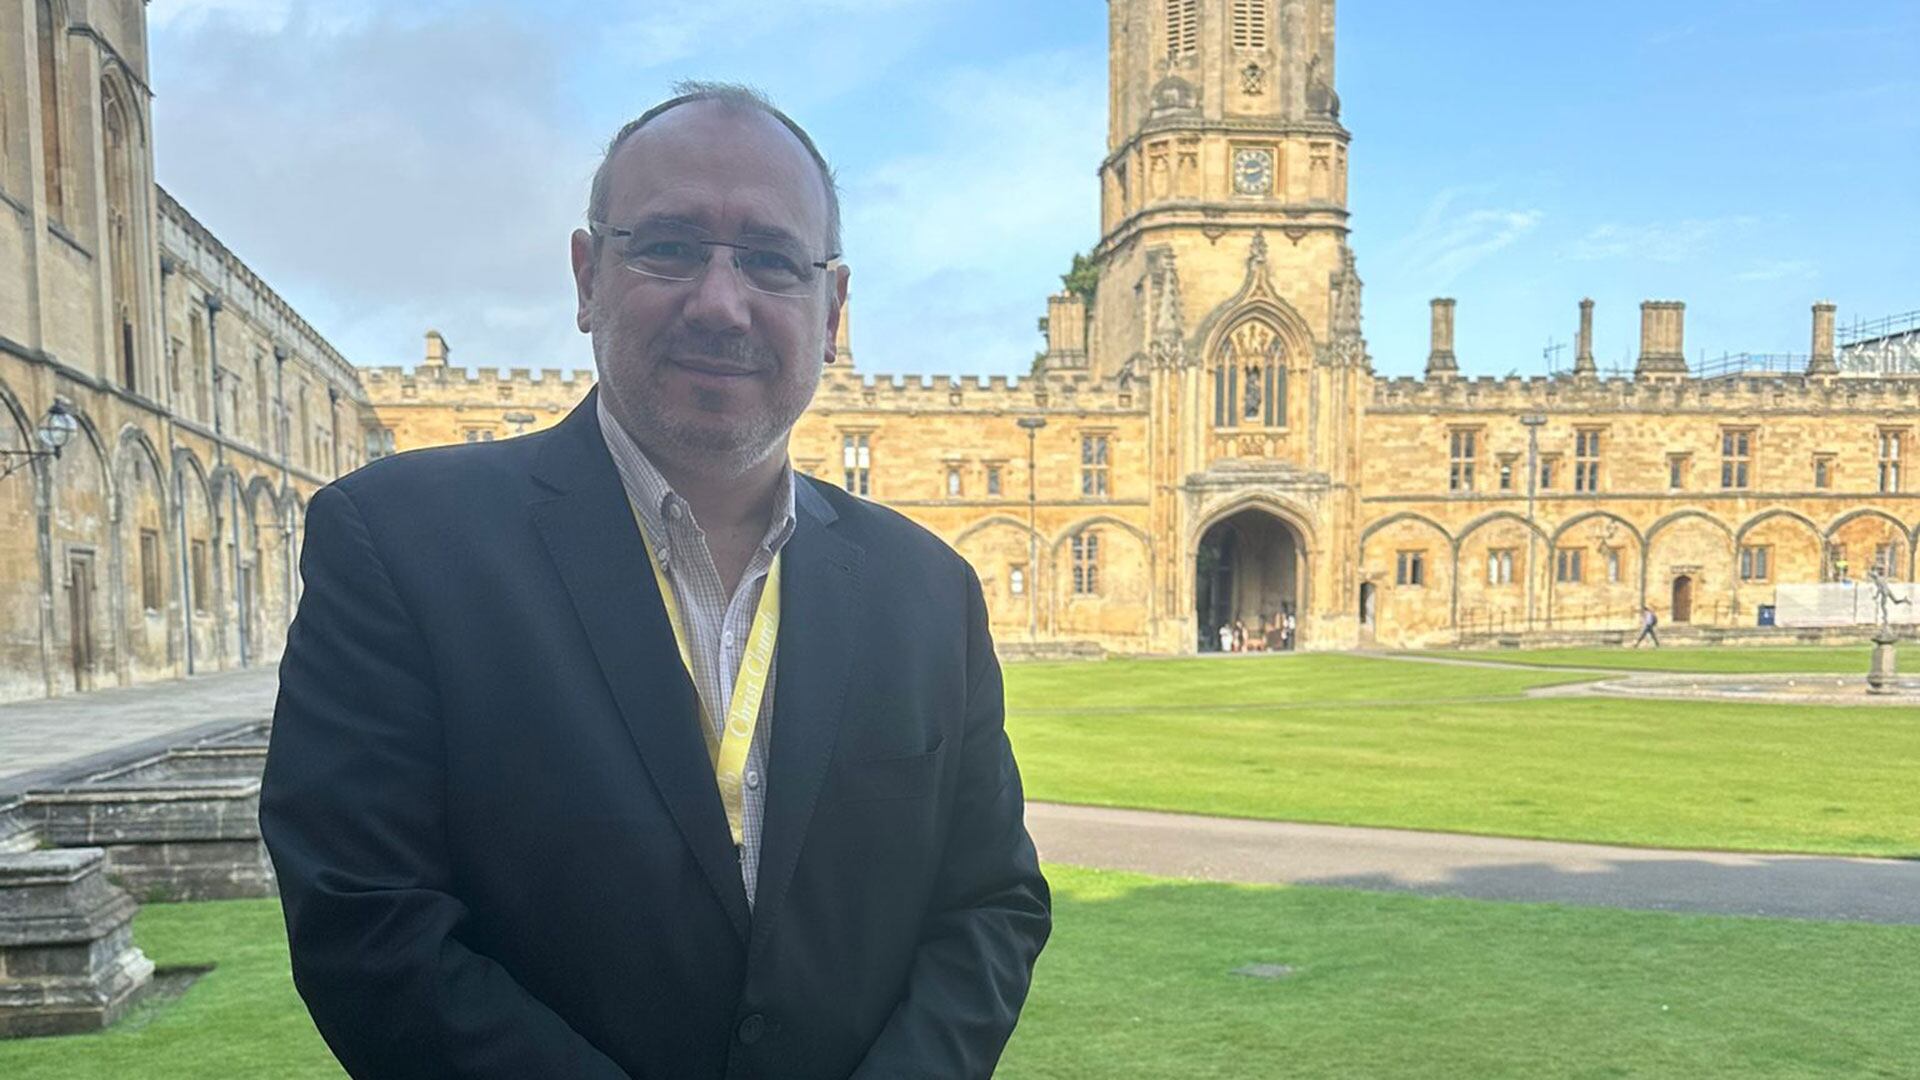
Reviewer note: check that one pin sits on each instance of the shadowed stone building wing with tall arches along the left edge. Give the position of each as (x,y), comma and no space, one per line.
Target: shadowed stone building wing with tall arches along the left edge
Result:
(203,410)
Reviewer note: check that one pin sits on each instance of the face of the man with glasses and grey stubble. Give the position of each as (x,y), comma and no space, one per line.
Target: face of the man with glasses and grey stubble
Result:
(709,374)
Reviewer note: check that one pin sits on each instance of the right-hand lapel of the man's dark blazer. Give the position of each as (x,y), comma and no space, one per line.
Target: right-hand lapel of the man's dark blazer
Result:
(823,602)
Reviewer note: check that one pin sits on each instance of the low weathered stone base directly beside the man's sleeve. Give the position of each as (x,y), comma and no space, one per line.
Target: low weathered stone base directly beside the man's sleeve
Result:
(166,839)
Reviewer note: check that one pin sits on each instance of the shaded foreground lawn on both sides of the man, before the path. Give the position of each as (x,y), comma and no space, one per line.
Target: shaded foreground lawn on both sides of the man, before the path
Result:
(1138,983)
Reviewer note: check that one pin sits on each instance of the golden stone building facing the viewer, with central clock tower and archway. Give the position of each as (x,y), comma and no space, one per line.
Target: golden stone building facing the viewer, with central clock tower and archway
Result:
(1207,439)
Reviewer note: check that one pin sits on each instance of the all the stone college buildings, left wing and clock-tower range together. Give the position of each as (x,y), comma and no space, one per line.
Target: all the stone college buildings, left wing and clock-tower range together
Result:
(1205,443)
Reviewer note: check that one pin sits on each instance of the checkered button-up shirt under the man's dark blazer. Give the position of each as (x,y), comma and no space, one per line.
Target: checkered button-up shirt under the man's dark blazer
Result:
(719,626)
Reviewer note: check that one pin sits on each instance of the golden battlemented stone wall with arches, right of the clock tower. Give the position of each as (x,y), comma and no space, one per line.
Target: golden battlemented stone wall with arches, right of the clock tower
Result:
(1668,510)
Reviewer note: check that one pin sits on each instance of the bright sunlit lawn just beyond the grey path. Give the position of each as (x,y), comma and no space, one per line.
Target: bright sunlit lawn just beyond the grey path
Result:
(1351,741)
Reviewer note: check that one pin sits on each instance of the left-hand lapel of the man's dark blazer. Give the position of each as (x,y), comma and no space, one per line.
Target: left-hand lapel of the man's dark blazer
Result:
(588,528)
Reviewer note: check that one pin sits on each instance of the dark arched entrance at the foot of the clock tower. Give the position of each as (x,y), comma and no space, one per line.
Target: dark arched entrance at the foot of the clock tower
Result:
(1247,577)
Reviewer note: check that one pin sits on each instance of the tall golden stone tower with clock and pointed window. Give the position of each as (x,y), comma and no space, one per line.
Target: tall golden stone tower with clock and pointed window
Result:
(1226,280)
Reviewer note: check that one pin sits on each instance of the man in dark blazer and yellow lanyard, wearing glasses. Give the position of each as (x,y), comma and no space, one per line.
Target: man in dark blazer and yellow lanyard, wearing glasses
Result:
(619,750)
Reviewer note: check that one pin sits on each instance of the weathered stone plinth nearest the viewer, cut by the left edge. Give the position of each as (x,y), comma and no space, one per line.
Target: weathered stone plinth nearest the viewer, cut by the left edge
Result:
(66,948)
